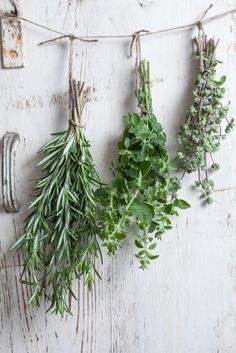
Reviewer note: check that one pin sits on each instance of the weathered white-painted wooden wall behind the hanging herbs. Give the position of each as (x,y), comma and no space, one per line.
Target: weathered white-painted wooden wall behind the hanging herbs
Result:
(186,301)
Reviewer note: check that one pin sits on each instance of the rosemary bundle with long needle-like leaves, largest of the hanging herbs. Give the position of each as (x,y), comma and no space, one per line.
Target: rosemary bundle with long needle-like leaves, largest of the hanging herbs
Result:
(60,235)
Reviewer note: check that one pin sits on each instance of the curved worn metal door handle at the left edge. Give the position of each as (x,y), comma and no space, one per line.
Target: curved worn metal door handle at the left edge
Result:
(10,143)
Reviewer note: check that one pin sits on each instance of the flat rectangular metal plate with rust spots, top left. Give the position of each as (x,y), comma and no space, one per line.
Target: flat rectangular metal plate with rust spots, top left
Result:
(12,42)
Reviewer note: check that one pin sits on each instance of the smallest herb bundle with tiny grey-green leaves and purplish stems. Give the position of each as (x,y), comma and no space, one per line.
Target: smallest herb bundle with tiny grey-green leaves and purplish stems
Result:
(200,136)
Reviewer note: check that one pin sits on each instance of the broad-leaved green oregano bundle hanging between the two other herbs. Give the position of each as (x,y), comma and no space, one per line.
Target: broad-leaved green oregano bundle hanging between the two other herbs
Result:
(143,193)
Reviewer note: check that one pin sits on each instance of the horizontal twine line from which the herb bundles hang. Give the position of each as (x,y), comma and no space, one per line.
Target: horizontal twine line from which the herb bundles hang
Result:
(95,38)
